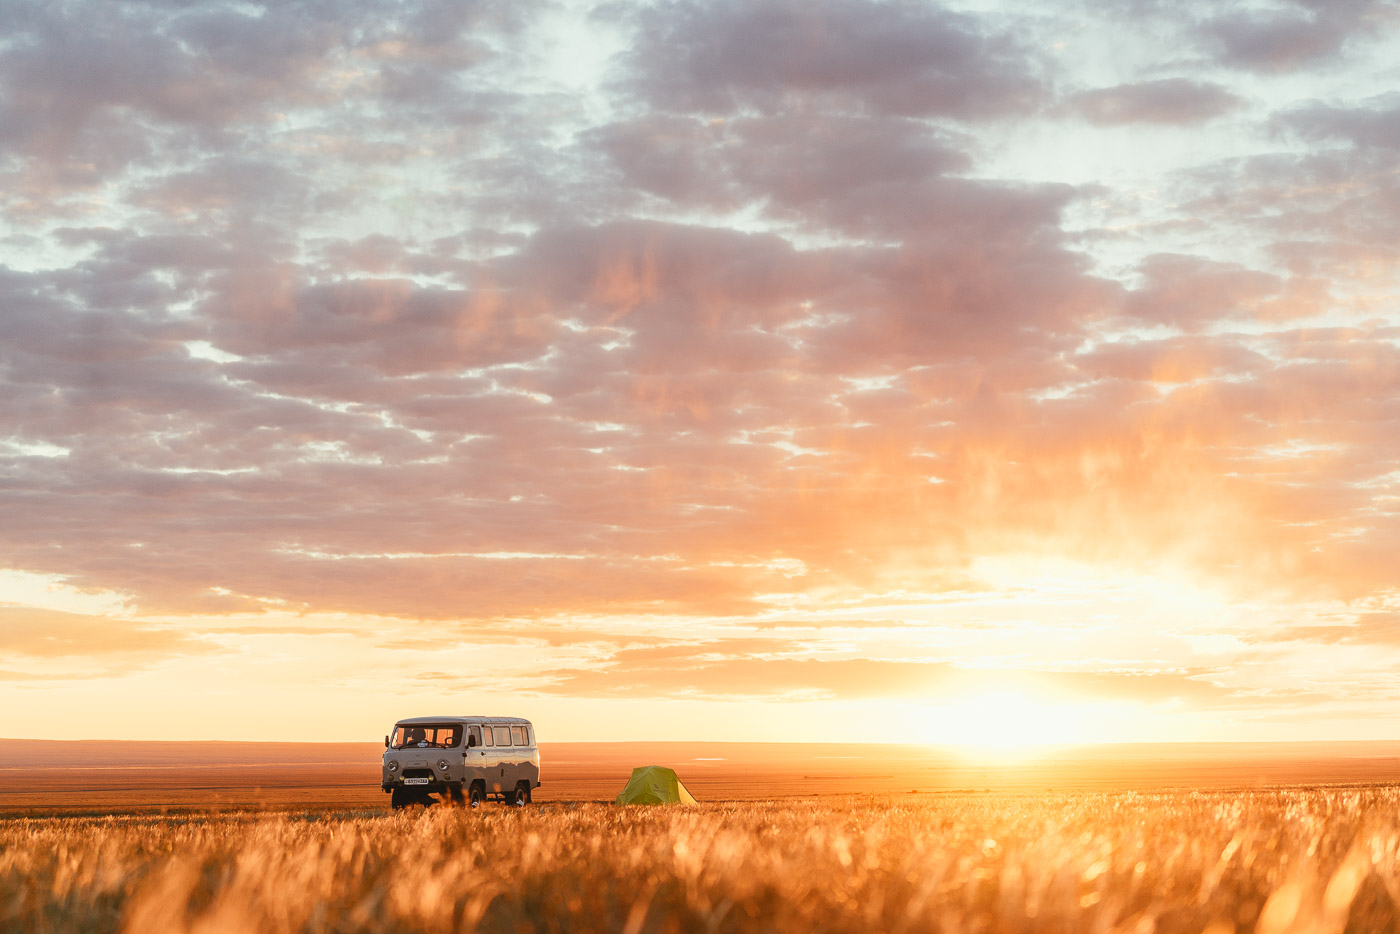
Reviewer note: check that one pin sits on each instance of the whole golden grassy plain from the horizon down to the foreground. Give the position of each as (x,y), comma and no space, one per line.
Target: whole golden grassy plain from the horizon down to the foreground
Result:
(220,838)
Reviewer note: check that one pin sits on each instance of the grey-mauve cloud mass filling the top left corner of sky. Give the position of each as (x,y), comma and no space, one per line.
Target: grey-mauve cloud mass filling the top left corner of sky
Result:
(93,96)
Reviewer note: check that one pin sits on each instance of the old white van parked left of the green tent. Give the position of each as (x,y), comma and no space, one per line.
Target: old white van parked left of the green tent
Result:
(460,760)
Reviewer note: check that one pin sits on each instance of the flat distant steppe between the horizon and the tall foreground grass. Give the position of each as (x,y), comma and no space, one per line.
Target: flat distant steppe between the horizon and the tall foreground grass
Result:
(41,778)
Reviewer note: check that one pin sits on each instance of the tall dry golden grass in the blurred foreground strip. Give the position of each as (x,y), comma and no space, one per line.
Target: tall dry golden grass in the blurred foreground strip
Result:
(1270,862)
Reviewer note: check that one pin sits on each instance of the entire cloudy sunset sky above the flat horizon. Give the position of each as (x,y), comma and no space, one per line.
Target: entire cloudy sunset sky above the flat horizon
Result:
(748,370)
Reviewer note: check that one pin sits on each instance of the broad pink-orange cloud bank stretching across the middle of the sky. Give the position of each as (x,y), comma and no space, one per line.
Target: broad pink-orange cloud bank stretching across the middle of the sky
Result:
(698,404)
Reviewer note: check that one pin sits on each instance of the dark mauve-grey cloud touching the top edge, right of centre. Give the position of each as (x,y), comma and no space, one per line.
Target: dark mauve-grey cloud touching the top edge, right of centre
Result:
(891,58)
